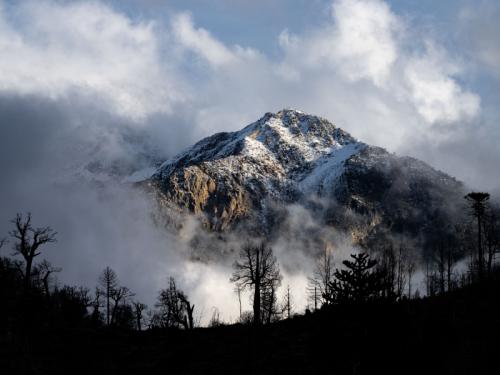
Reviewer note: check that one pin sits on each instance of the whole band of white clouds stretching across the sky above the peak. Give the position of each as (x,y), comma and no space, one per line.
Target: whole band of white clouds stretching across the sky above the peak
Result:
(89,48)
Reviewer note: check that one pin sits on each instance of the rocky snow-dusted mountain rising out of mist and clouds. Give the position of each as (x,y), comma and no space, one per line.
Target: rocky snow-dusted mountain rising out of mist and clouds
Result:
(247,178)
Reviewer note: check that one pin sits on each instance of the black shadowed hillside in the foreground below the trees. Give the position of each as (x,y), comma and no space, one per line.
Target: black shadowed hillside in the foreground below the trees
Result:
(453,333)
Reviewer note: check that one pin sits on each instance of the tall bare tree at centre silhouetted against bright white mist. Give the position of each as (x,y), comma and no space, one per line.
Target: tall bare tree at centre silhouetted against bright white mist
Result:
(257,269)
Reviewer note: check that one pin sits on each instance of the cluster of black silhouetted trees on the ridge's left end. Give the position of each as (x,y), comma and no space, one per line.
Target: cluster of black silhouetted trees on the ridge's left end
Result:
(32,298)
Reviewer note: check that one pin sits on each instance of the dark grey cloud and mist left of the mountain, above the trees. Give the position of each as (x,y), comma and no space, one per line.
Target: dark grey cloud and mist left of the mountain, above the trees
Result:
(97,224)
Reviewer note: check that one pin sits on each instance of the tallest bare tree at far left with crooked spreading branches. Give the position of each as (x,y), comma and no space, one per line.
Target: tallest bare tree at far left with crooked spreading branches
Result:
(28,242)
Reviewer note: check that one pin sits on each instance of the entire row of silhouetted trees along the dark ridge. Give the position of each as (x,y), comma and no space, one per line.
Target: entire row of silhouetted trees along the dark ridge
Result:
(32,297)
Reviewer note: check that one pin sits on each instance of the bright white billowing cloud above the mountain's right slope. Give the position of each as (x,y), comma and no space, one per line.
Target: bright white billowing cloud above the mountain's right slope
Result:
(366,42)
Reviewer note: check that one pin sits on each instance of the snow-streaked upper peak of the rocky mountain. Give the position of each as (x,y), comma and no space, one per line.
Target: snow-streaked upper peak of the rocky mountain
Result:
(288,148)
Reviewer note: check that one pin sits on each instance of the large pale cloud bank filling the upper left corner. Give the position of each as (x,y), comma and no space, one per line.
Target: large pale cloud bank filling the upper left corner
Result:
(52,49)
